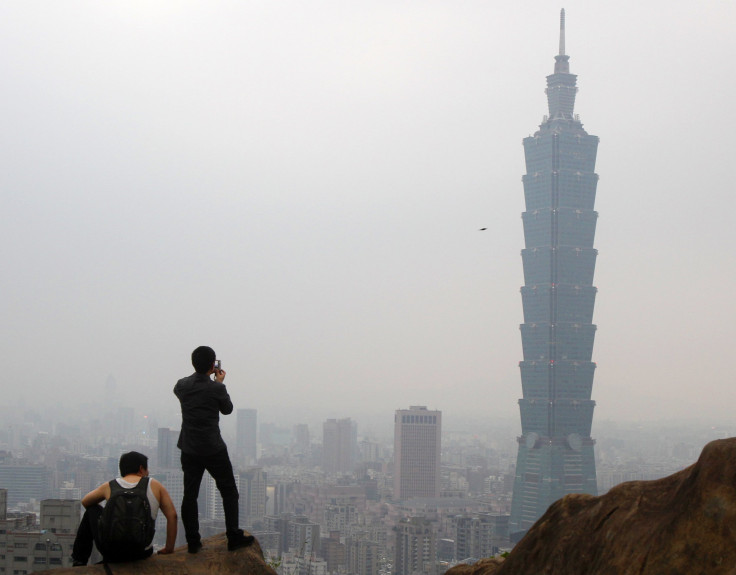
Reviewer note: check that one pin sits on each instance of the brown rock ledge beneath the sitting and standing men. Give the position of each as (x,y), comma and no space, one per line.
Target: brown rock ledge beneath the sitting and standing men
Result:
(213,559)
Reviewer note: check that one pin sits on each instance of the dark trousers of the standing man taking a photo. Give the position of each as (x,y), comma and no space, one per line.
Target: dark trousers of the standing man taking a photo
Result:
(219,467)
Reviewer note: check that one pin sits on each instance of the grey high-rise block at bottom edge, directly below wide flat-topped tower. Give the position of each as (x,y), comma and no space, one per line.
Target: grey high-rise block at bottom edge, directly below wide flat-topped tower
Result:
(416,547)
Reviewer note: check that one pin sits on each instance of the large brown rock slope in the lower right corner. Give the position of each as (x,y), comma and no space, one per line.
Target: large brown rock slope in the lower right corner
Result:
(682,524)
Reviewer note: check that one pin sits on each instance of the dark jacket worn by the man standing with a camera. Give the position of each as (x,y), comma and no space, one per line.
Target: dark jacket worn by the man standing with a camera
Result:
(202,400)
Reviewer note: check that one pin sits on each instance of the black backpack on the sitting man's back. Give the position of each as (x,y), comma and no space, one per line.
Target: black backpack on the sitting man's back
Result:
(126,527)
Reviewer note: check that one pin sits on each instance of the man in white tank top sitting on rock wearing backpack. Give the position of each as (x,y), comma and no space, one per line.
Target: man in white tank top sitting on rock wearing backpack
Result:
(111,529)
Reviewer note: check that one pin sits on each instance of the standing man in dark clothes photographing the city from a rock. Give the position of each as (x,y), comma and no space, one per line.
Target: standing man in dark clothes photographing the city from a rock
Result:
(202,448)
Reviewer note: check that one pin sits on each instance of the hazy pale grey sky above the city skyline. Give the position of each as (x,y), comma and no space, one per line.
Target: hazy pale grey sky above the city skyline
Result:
(300,185)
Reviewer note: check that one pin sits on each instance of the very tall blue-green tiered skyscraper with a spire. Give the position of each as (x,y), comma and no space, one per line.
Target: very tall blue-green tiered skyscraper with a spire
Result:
(555,454)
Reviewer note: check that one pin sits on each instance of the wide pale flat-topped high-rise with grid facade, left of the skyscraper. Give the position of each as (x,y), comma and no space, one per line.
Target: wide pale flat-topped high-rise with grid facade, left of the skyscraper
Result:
(417,448)
